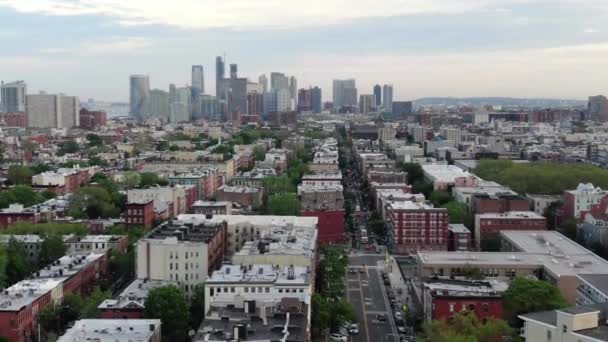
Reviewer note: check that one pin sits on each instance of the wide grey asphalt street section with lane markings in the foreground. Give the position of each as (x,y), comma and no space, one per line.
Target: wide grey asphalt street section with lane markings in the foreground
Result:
(367,294)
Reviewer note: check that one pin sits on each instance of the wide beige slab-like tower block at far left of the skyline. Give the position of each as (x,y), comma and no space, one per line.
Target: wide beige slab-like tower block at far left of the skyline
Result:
(52,111)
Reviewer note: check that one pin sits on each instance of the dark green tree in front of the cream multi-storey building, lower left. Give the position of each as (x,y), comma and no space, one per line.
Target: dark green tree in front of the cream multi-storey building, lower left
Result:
(169,304)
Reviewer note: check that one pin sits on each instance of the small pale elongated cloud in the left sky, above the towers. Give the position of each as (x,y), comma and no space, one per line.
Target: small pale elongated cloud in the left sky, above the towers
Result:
(111,46)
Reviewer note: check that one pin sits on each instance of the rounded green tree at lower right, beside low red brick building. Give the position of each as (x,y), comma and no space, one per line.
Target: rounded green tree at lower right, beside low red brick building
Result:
(527,295)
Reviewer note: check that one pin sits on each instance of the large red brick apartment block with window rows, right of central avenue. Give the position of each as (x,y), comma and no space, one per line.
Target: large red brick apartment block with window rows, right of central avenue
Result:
(416,226)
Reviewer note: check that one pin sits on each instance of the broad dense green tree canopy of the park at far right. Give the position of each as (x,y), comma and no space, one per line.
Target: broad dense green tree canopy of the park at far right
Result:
(541,177)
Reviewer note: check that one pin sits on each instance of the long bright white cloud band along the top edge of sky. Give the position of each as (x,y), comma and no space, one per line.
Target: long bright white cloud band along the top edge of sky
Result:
(203,14)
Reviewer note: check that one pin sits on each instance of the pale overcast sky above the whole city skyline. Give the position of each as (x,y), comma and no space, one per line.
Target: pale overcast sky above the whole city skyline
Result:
(518,48)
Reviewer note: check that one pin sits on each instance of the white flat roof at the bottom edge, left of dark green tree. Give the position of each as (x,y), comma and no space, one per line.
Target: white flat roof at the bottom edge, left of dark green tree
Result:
(106,330)
